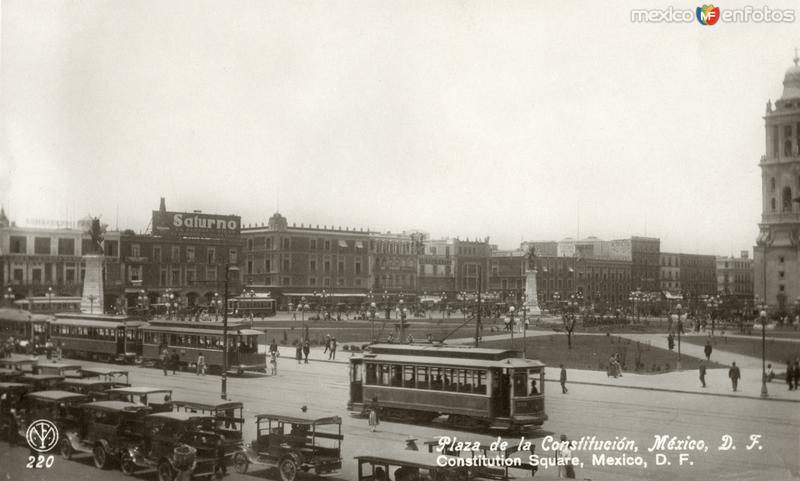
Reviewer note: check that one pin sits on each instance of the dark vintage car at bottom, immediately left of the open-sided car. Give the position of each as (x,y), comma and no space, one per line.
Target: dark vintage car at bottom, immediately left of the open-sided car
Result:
(176,443)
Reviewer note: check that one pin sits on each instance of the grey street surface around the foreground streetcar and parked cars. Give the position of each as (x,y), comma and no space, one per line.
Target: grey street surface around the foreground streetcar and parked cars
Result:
(604,412)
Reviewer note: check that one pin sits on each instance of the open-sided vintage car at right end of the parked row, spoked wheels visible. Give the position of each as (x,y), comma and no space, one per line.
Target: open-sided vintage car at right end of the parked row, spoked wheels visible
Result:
(294,444)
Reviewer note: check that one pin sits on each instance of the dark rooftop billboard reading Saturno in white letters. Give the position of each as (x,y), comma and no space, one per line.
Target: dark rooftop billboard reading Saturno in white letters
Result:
(194,224)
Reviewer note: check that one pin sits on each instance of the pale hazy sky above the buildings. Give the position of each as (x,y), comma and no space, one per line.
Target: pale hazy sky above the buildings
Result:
(508,119)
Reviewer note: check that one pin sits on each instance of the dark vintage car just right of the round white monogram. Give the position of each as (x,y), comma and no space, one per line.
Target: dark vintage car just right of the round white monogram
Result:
(106,430)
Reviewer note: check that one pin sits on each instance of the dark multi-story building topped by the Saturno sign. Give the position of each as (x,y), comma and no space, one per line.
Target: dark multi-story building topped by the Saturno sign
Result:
(183,261)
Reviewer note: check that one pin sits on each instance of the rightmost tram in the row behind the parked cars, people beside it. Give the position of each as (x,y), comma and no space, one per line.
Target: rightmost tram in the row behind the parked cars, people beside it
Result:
(189,340)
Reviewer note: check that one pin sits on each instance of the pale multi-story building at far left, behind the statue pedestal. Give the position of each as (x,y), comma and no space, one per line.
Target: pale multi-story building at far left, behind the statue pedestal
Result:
(42,261)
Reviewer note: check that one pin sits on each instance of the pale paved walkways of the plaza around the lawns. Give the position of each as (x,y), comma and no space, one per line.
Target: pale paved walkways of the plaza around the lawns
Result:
(684,381)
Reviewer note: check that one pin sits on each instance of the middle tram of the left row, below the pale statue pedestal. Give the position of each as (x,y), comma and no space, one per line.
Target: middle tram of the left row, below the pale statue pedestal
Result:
(101,337)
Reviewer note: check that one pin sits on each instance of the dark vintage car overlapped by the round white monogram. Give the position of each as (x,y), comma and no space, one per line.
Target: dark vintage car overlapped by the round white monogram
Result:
(59,407)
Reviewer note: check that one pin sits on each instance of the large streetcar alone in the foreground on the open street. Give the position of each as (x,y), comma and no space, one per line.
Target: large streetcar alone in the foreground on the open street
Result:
(477,388)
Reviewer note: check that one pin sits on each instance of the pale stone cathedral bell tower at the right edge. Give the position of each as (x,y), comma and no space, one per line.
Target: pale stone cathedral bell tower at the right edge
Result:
(776,278)
